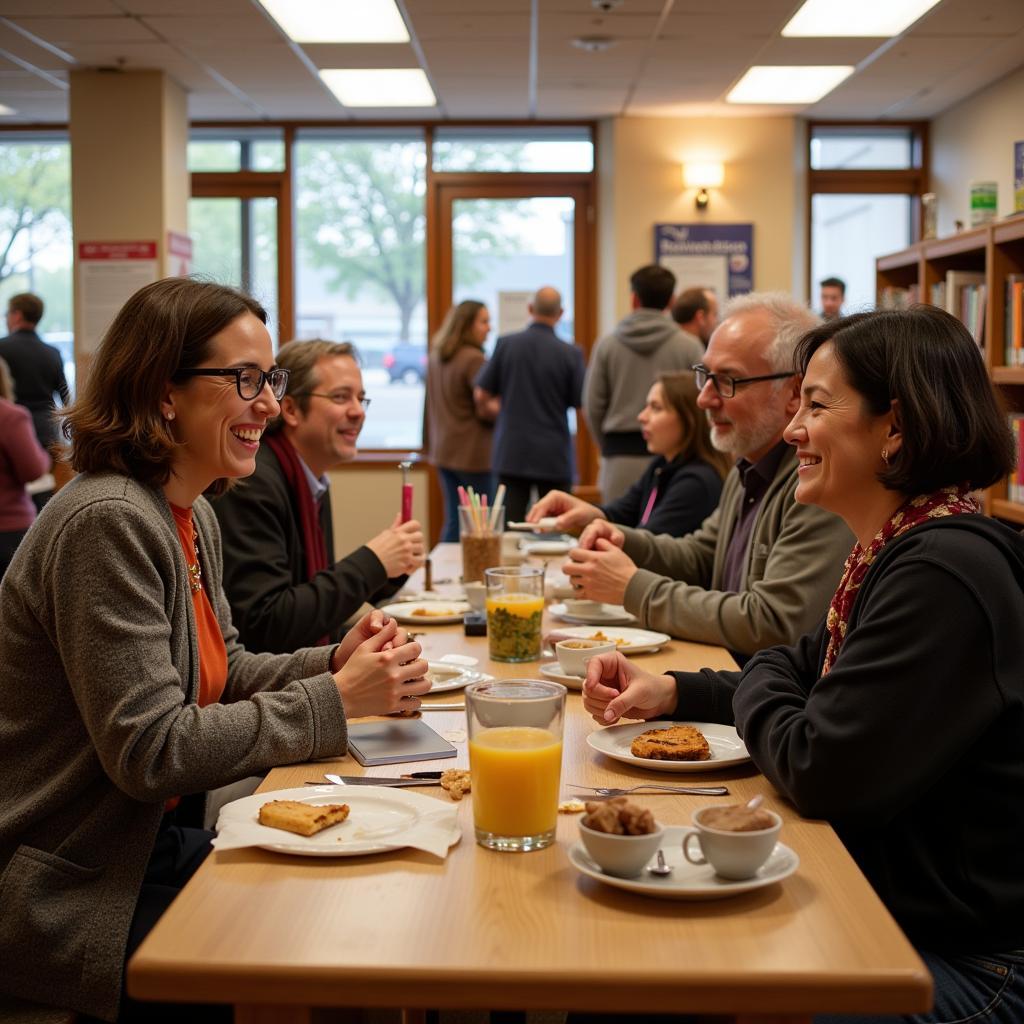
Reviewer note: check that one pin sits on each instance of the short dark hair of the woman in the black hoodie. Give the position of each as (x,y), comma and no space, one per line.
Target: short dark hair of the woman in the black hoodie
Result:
(954,430)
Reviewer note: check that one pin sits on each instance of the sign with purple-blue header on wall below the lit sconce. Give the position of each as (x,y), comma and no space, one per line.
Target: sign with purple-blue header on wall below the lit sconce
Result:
(715,257)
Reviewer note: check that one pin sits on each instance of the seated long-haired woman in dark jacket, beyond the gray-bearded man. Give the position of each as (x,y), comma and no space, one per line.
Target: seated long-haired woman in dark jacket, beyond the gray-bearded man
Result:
(682,484)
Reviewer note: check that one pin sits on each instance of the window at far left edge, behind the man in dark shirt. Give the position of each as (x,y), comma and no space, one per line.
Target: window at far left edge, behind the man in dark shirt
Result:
(35,233)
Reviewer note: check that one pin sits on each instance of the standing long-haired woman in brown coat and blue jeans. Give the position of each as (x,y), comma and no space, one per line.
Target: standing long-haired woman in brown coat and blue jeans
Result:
(460,432)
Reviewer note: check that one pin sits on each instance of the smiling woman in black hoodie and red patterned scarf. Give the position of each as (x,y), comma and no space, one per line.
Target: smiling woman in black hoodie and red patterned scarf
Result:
(901,720)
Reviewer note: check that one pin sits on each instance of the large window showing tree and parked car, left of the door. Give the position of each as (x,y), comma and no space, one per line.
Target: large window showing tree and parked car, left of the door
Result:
(361,266)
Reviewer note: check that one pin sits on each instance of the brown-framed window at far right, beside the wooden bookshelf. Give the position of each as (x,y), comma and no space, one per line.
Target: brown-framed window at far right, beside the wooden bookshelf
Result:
(866,181)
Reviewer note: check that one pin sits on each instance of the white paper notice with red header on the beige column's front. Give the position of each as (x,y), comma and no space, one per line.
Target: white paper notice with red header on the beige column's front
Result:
(109,274)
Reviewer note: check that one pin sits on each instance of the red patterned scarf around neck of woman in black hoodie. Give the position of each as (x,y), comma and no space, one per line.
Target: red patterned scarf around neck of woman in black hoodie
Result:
(947,501)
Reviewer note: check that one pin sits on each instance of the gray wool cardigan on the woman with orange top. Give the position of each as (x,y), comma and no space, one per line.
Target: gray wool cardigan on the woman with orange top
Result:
(100,727)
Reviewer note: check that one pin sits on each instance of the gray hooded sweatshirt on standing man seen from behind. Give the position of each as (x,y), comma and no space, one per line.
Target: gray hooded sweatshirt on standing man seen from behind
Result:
(623,367)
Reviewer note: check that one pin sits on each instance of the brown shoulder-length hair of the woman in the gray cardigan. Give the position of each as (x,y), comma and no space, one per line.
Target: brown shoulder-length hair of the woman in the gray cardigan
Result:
(116,424)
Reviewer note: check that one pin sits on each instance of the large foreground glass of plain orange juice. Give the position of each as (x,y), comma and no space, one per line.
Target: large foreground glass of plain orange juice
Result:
(516,758)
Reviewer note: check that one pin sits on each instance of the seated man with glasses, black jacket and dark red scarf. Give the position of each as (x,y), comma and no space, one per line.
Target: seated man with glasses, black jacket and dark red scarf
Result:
(281,577)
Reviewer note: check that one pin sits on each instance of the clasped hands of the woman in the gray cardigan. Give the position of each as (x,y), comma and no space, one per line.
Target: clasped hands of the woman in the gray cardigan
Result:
(383,676)
